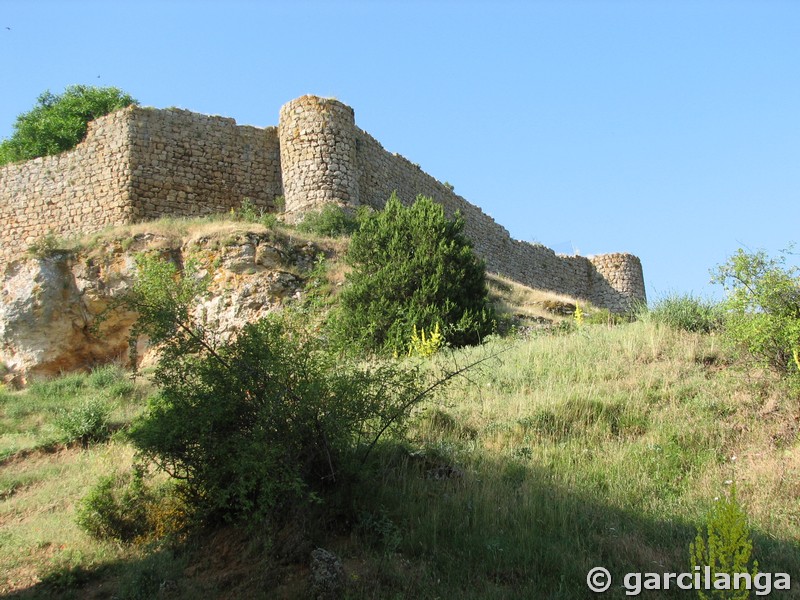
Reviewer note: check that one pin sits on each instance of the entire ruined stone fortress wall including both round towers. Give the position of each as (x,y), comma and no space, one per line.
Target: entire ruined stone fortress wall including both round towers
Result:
(140,164)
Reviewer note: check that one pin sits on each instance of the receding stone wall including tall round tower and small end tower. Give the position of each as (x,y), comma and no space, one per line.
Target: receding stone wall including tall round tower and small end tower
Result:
(327,159)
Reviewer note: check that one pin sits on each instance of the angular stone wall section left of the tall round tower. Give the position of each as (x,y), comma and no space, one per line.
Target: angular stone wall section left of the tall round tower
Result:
(138,164)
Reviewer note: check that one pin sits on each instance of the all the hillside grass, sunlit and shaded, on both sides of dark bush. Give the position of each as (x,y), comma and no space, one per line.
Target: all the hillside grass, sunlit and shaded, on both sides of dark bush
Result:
(603,447)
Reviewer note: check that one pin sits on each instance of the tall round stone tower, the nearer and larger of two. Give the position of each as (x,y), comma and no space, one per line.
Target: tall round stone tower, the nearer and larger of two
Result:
(318,154)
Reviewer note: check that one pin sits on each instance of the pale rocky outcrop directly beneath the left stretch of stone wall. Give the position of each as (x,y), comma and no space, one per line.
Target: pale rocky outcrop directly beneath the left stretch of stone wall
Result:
(58,312)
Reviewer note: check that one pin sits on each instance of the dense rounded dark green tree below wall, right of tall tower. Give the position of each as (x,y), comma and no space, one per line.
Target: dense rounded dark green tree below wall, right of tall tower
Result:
(413,267)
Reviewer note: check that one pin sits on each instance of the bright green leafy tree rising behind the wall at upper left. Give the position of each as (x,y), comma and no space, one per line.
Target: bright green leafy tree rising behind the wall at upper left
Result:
(59,122)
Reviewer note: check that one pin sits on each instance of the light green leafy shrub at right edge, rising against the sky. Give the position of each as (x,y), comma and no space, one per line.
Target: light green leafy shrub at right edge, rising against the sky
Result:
(763,307)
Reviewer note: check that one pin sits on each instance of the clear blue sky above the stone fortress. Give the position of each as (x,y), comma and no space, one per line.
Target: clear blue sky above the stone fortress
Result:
(667,129)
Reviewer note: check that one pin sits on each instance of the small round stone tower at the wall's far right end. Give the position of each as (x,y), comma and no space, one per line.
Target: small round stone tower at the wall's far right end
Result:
(619,283)
